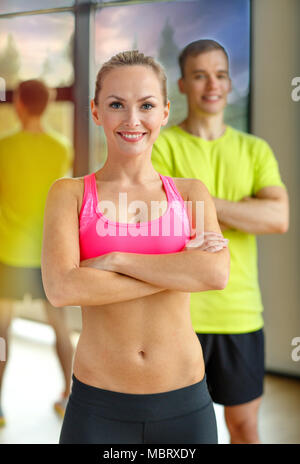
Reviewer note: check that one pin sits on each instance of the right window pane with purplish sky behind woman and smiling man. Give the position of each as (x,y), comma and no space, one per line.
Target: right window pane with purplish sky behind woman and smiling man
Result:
(162,29)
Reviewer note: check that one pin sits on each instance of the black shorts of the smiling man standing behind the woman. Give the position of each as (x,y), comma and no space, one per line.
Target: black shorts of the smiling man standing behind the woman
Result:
(234,365)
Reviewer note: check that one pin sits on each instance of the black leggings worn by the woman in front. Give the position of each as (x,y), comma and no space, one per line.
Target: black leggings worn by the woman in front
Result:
(101,416)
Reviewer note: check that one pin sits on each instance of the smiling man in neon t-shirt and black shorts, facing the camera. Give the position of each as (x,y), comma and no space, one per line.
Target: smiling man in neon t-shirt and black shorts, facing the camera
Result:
(241,173)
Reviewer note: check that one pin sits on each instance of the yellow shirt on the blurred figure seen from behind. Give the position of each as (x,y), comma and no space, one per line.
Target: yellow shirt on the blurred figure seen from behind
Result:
(29,164)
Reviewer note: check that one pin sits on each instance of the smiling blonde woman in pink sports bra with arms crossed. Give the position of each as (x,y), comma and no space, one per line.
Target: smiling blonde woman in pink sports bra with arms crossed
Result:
(138,373)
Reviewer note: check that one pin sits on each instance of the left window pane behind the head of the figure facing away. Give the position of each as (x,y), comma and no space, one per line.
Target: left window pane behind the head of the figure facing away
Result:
(38,46)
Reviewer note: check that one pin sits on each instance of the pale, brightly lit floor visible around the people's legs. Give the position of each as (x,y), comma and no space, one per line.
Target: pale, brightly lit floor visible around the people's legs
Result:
(33,382)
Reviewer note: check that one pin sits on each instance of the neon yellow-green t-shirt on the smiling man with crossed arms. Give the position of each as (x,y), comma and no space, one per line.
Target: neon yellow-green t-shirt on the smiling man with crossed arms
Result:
(232,167)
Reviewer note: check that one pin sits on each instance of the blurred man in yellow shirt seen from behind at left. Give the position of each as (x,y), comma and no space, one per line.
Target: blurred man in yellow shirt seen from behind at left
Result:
(31,159)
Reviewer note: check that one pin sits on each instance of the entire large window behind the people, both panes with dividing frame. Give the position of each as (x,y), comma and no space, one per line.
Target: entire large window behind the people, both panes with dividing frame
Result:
(58,46)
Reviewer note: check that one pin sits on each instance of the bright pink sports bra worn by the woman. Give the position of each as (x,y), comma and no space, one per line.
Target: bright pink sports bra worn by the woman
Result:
(99,235)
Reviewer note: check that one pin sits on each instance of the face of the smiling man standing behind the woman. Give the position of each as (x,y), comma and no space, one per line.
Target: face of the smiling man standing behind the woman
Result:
(206,82)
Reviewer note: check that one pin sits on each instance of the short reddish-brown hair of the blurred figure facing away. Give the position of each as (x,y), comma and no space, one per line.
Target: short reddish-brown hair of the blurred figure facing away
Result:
(34,95)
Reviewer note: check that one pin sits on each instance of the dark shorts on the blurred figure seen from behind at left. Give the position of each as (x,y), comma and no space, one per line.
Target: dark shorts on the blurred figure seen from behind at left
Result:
(15,282)
